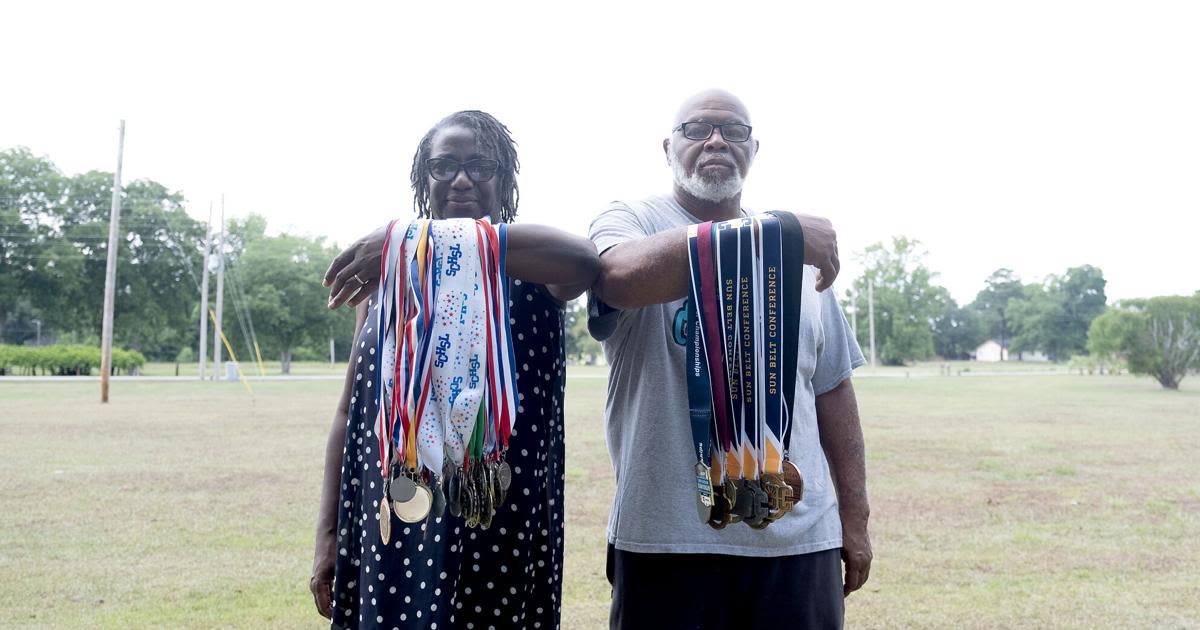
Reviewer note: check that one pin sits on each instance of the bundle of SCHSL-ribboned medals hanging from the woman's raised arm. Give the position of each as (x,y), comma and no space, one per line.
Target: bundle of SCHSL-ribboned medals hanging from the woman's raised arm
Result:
(448,395)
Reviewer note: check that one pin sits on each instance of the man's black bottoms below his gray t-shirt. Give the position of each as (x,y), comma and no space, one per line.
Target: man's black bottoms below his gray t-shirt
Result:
(703,591)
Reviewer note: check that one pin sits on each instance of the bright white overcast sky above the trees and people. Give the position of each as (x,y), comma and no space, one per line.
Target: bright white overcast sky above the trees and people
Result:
(1027,135)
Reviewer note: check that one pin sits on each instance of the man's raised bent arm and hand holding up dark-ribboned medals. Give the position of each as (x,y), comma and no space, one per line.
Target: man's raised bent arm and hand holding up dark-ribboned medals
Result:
(655,271)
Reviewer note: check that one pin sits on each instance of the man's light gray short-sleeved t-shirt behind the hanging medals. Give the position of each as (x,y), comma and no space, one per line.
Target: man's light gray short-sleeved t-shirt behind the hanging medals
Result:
(649,431)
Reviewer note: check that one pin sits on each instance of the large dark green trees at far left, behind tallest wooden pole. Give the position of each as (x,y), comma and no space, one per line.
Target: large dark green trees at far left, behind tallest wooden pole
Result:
(53,251)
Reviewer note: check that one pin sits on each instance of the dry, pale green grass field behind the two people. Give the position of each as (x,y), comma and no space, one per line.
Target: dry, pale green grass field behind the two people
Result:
(998,502)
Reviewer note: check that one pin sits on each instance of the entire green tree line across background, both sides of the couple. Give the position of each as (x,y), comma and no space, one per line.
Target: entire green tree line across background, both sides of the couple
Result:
(55,241)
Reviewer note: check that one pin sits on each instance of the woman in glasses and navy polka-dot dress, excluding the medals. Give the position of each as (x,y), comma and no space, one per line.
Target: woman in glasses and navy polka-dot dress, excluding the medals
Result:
(439,573)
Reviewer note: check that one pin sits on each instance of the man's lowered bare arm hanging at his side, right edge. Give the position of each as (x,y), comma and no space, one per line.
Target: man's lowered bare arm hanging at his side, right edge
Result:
(842,437)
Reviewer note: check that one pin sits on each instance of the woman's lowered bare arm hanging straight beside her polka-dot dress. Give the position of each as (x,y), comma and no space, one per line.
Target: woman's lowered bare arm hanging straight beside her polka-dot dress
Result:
(322,583)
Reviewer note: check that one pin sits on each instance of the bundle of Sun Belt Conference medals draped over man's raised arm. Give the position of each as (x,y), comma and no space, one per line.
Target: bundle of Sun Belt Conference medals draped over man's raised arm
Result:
(743,334)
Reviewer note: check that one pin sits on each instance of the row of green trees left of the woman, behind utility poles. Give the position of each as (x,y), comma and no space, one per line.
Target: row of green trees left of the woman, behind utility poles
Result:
(55,245)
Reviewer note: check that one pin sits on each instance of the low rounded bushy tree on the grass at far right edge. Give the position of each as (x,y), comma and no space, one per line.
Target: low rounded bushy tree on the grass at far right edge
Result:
(1157,337)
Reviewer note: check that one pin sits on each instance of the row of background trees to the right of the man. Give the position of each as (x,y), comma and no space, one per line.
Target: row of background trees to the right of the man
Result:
(1060,317)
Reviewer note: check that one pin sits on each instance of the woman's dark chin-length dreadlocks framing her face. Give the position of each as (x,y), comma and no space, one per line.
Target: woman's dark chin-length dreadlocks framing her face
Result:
(495,140)
